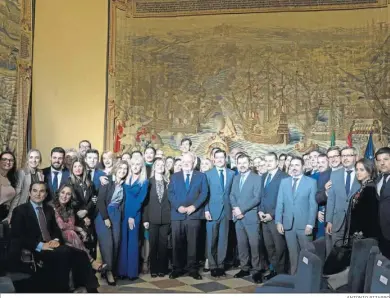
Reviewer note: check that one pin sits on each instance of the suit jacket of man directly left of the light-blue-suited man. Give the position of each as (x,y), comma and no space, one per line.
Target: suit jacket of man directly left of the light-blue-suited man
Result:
(269,196)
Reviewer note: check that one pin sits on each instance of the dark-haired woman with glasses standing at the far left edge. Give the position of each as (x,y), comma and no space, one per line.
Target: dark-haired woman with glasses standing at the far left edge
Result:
(8,182)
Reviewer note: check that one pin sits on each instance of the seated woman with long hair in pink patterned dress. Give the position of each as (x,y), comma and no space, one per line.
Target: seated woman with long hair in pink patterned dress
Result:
(66,221)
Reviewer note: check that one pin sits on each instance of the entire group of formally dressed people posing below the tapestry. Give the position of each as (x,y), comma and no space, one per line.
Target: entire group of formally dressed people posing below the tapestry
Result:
(152,213)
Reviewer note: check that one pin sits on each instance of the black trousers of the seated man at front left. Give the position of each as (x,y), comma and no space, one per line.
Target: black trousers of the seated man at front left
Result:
(54,275)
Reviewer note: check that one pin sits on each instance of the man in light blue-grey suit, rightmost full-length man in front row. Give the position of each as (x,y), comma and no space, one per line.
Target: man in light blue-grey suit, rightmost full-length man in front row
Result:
(296,210)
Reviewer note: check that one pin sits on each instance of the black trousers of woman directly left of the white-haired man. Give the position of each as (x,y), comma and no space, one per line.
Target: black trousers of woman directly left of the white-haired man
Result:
(158,256)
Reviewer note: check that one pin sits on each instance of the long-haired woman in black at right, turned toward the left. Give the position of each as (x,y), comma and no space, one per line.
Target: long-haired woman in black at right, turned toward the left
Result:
(363,207)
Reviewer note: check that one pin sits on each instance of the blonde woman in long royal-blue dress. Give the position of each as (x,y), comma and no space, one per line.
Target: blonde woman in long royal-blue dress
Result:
(136,188)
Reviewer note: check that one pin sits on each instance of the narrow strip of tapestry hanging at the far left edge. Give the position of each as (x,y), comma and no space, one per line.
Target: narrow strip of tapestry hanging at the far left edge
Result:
(16,25)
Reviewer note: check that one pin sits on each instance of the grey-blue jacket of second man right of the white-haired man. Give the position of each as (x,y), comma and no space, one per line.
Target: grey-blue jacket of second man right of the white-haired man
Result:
(248,198)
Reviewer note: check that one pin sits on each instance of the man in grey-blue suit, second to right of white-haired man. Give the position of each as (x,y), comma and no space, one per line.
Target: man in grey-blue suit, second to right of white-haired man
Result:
(244,198)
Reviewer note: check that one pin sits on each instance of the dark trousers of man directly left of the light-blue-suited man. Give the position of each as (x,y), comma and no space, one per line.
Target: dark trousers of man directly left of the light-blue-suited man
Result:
(275,245)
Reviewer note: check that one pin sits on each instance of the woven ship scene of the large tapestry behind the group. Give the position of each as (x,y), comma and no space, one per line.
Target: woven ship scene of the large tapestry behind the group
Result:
(269,89)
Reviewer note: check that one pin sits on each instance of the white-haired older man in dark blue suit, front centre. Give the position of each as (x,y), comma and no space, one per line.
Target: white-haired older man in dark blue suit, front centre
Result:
(187,193)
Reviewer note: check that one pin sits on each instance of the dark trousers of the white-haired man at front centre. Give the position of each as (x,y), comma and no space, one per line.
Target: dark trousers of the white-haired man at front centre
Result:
(185,239)
